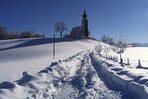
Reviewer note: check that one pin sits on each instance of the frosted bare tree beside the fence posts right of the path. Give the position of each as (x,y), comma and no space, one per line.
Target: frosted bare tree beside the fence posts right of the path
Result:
(119,48)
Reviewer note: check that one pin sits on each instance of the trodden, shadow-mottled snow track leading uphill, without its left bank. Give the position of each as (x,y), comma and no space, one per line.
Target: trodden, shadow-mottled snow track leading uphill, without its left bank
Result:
(86,84)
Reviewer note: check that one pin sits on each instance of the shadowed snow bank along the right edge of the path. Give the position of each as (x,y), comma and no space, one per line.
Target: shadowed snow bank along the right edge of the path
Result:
(129,79)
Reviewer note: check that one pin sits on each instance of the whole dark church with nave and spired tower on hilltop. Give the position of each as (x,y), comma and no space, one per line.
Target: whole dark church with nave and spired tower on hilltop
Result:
(81,31)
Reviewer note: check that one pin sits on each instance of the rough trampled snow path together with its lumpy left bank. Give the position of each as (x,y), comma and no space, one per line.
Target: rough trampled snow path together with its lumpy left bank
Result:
(73,78)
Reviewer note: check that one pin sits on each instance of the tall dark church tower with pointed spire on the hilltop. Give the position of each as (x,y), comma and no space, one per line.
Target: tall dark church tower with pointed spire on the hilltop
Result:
(85,25)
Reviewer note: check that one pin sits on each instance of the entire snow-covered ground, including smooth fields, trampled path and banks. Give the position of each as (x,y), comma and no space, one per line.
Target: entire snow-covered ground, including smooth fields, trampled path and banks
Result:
(28,71)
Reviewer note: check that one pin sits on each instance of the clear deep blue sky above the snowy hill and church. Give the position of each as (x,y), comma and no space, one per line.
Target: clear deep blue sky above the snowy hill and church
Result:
(118,18)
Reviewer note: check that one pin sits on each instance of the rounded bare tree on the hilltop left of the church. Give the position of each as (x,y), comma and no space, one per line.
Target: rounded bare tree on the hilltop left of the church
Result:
(60,27)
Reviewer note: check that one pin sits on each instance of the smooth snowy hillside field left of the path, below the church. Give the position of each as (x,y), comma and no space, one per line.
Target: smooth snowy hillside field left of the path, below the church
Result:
(32,55)
